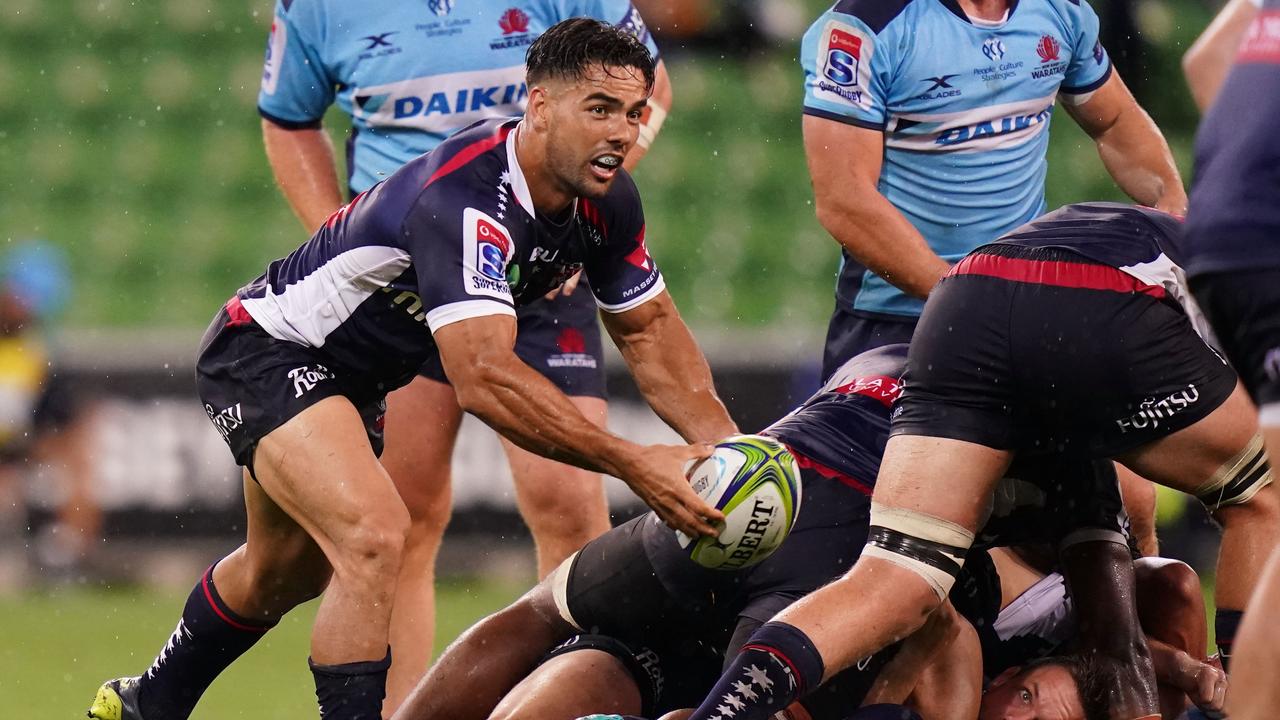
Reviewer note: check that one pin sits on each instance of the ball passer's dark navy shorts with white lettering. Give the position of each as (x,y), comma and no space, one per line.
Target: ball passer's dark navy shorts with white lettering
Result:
(252,384)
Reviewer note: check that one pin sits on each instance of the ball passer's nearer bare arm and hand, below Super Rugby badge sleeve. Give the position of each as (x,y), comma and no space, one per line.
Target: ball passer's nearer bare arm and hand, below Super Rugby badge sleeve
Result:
(518,402)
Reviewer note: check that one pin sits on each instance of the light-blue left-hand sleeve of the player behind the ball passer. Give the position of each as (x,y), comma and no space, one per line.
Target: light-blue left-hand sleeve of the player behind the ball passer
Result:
(296,88)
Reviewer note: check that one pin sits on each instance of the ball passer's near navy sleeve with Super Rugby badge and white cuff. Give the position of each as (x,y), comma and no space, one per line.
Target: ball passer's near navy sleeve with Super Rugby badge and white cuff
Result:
(461,257)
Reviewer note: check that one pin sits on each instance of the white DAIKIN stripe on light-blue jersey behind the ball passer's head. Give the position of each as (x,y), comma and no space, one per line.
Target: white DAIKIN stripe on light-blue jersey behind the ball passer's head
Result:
(444,103)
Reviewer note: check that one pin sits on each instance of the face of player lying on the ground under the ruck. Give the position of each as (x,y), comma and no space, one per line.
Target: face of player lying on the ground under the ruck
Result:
(1048,692)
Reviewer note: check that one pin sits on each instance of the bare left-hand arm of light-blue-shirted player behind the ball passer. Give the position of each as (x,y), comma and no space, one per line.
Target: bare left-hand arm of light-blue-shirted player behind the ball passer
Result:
(303,162)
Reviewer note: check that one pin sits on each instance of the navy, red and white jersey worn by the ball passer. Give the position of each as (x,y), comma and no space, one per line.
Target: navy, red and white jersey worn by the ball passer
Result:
(450,236)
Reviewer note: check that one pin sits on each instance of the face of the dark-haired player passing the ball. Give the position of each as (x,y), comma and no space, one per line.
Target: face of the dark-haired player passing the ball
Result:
(593,125)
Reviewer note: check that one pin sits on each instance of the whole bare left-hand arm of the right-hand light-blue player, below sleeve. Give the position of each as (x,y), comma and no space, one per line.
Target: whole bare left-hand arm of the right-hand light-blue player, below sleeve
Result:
(845,165)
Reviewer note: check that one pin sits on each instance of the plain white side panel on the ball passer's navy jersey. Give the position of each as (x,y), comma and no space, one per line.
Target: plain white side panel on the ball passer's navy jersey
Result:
(314,307)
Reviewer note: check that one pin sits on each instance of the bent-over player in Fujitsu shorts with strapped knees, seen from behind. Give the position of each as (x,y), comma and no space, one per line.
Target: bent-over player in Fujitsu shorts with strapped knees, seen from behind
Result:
(1066,336)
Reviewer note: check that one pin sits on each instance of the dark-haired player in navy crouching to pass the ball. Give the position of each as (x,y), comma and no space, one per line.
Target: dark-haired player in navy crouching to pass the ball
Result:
(433,261)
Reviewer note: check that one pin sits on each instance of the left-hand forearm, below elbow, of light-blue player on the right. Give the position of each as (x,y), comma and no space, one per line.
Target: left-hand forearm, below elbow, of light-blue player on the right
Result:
(879,236)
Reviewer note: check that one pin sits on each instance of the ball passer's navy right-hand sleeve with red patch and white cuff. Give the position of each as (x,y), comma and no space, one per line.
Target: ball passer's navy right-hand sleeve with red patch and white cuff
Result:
(619,267)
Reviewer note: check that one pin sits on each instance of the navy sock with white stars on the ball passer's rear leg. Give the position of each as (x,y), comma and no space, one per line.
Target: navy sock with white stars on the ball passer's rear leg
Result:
(209,639)
